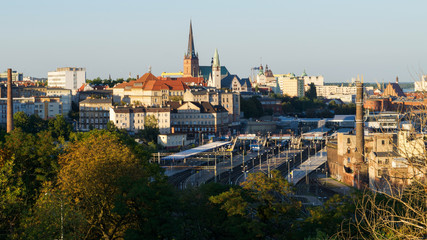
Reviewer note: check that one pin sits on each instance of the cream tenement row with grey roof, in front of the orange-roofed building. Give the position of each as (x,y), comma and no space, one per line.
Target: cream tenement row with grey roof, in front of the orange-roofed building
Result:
(134,118)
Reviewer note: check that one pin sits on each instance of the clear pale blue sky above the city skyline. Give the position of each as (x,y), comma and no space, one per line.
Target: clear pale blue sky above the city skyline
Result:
(338,39)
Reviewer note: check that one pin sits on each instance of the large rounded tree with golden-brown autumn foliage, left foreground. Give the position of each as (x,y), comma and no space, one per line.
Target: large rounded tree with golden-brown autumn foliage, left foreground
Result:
(92,170)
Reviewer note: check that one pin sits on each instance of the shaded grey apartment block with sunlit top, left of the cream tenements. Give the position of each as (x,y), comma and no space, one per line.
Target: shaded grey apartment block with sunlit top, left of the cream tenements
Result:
(94,113)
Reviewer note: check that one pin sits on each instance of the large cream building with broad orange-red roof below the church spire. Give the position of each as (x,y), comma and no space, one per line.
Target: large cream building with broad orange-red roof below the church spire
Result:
(148,91)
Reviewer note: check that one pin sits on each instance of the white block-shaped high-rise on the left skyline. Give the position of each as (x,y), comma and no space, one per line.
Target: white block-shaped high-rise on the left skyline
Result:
(67,77)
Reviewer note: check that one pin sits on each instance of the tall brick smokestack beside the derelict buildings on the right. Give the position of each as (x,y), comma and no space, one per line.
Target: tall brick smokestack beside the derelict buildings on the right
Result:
(359,153)
